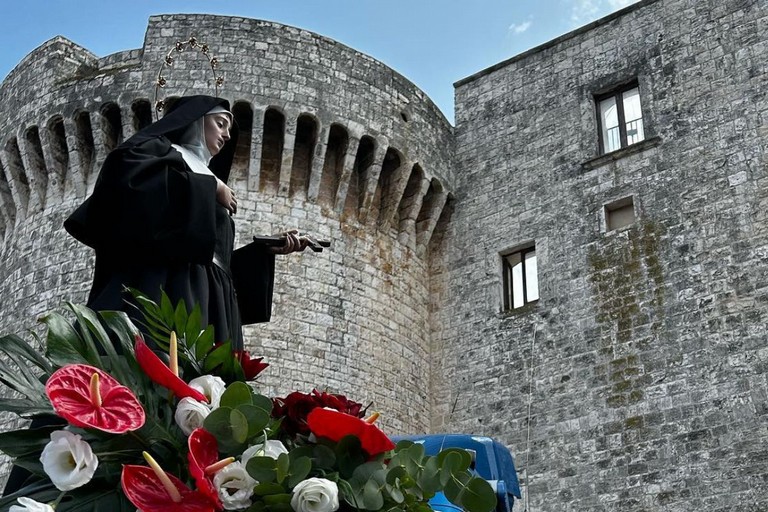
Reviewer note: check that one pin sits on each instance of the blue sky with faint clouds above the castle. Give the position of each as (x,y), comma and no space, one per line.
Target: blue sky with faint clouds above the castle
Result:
(431,42)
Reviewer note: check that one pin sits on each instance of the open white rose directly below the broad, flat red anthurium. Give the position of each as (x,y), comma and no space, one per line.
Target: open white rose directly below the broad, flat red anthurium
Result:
(68,460)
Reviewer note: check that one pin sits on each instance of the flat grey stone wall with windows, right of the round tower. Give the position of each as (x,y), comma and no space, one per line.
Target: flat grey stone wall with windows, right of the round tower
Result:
(638,380)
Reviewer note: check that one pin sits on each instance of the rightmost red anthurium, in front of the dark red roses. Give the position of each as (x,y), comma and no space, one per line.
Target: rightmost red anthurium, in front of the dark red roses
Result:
(334,425)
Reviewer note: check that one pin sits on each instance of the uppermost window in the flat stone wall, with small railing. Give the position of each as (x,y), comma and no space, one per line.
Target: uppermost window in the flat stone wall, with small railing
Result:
(620,118)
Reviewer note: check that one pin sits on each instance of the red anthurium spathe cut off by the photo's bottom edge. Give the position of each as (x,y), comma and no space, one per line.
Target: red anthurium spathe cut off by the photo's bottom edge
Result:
(142,487)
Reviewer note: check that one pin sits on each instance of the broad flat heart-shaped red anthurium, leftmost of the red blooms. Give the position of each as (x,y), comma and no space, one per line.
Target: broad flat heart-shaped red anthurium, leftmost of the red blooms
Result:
(87,396)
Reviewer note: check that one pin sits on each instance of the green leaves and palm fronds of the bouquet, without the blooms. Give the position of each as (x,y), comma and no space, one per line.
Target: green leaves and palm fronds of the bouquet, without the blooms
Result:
(399,481)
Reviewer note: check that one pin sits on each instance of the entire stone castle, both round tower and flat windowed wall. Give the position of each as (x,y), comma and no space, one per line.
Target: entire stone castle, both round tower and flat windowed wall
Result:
(578,268)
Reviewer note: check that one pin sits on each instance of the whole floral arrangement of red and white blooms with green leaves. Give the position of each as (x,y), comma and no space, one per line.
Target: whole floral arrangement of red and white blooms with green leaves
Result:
(180,426)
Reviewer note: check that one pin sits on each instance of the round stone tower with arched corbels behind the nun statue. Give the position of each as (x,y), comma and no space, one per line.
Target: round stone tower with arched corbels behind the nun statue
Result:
(332,142)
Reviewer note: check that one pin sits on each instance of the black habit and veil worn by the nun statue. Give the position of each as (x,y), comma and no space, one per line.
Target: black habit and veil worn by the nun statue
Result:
(156,225)
